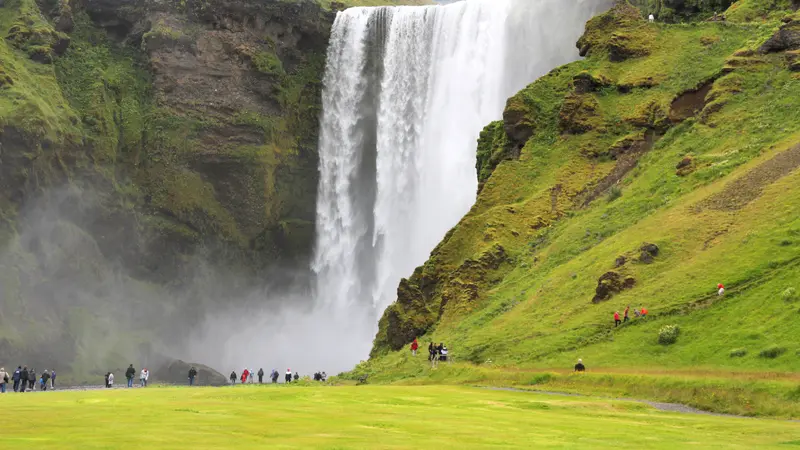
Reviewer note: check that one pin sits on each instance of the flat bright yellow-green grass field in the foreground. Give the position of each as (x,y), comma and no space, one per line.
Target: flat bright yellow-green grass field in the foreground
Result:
(364,417)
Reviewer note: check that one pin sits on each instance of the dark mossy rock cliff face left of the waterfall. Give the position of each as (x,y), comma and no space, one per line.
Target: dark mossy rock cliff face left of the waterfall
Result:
(139,137)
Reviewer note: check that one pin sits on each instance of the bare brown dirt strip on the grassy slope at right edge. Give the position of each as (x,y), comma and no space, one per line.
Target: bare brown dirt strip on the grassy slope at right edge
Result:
(749,187)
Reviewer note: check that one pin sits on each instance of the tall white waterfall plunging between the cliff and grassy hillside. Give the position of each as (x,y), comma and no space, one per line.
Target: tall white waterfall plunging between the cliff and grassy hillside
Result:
(406,94)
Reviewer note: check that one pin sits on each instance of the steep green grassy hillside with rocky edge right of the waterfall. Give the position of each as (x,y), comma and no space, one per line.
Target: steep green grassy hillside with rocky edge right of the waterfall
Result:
(684,136)
